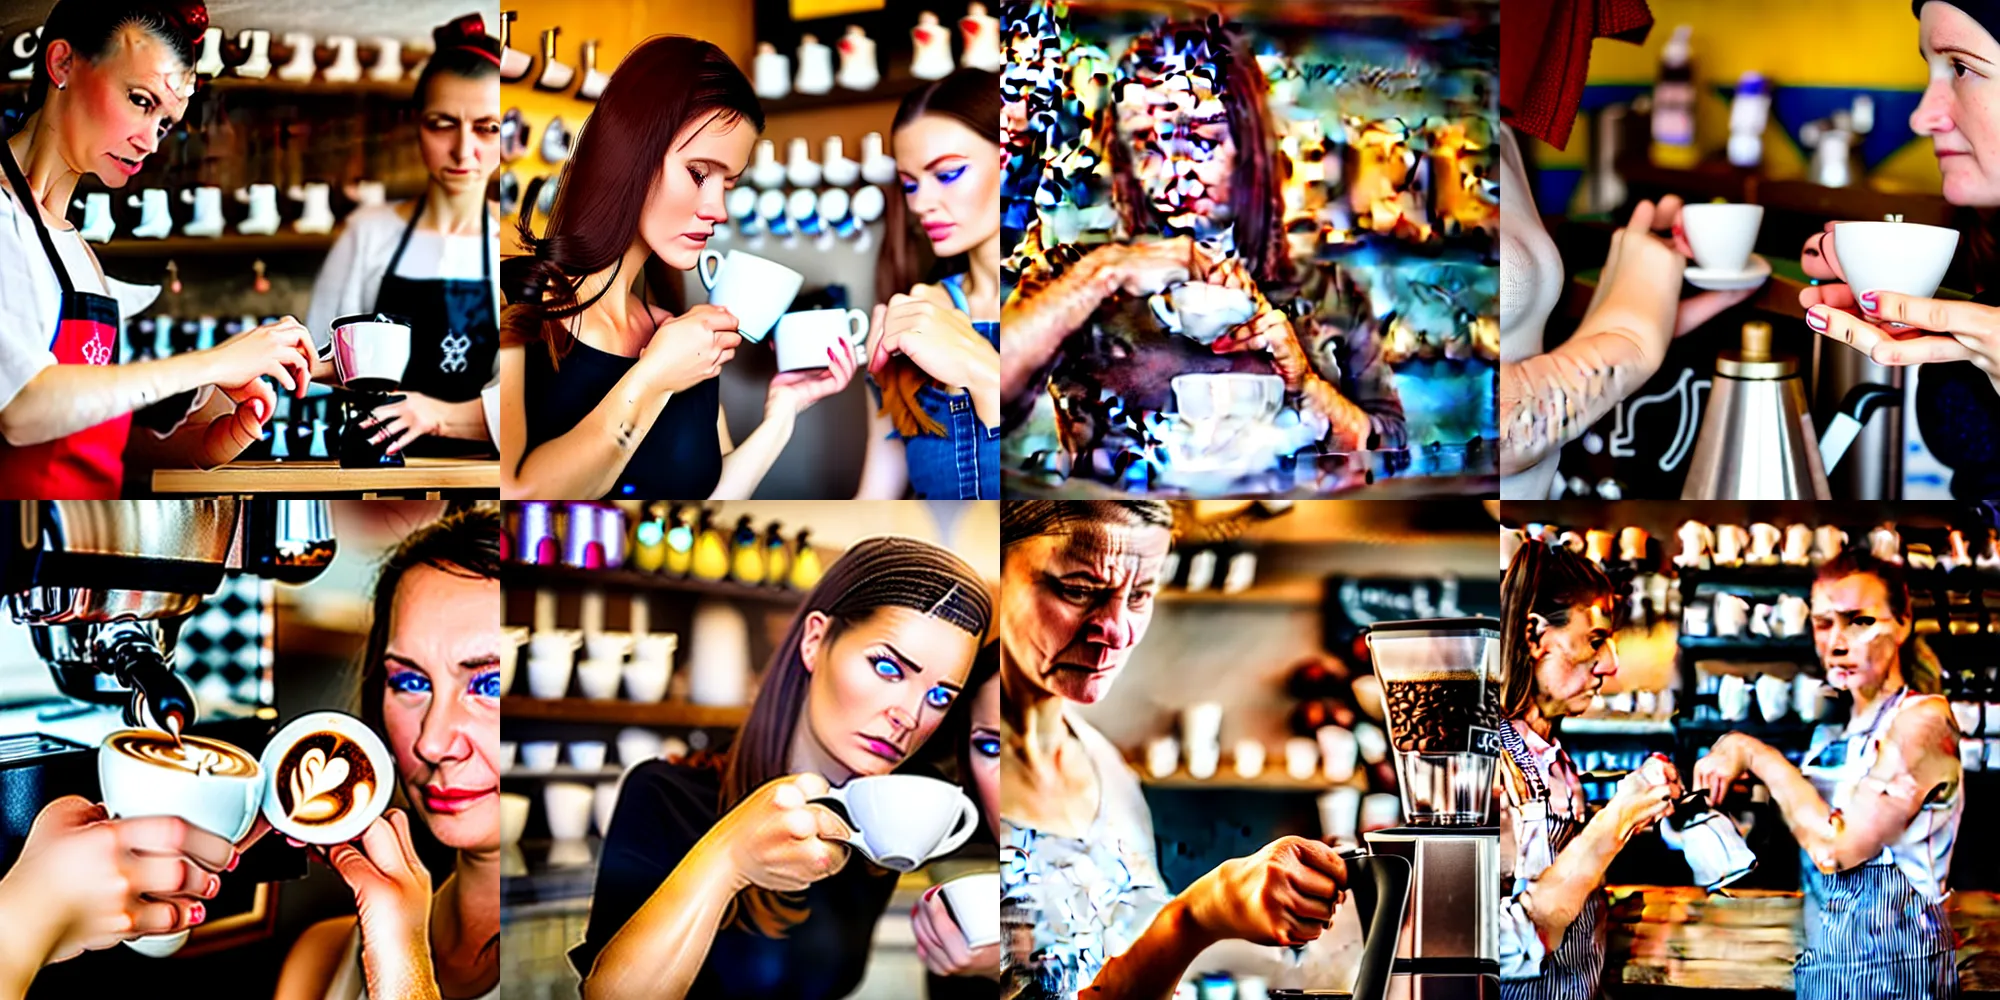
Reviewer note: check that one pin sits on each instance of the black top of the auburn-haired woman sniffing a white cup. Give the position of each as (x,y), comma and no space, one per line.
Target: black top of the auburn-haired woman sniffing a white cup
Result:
(681,457)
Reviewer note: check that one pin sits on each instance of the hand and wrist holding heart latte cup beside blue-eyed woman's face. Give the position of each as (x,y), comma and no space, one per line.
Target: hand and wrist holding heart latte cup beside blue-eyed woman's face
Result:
(393,907)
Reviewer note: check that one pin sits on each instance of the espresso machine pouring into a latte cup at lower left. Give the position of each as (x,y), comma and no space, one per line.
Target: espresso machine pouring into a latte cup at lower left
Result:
(103,589)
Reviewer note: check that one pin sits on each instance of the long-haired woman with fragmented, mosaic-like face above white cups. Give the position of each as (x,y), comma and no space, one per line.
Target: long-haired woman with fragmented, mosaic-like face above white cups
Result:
(1205,179)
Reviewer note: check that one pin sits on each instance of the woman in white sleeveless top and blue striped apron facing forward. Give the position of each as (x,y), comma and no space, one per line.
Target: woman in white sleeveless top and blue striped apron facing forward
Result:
(1877,803)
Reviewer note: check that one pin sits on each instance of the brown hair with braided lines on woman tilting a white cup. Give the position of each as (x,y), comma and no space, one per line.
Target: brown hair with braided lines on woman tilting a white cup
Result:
(875,573)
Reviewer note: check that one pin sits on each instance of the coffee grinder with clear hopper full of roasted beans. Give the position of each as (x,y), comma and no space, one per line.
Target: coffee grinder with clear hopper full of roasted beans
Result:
(1441,691)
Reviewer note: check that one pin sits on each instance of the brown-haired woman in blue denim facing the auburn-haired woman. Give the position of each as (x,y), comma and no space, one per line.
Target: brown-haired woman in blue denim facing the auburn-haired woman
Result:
(935,349)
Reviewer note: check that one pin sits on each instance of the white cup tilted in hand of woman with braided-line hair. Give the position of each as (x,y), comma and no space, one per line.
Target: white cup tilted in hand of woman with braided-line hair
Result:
(903,821)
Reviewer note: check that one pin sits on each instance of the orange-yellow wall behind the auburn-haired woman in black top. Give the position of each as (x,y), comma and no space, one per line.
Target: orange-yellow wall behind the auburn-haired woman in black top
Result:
(621,25)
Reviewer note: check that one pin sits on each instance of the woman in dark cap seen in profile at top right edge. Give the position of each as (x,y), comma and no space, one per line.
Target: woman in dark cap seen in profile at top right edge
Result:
(1959,393)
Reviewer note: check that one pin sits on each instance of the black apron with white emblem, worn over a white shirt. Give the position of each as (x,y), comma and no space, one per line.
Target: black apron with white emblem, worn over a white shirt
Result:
(459,363)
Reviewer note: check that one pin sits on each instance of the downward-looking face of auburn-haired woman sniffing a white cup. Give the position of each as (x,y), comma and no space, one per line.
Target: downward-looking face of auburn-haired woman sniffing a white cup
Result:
(685,203)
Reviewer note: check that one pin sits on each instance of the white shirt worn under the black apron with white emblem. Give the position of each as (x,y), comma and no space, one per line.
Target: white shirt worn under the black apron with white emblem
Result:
(353,275)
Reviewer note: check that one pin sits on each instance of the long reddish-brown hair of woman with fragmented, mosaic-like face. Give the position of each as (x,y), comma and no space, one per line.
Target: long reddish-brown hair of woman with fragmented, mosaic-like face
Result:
(1255,177)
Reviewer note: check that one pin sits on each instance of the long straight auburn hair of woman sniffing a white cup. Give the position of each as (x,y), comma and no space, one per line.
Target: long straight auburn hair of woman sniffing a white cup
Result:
(663,87)
